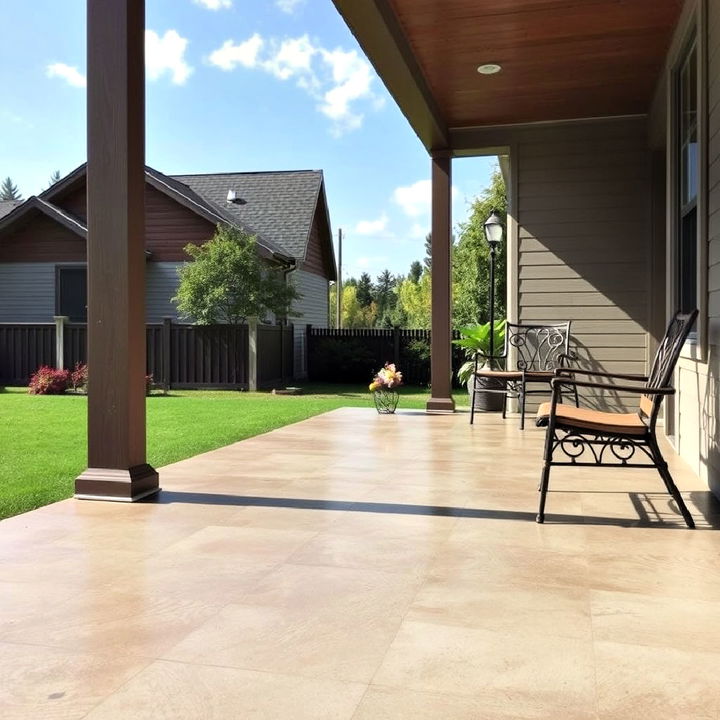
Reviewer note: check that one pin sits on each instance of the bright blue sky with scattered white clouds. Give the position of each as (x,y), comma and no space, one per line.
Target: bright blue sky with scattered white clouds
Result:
(235,86)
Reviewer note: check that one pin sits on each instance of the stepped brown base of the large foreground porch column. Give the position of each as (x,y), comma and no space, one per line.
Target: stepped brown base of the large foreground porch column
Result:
(130,485)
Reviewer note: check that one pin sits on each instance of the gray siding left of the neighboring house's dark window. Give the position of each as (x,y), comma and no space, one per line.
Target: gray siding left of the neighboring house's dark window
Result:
(27,292)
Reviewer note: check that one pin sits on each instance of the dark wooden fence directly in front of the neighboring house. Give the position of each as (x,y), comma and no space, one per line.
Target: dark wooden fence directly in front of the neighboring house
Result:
(179,356)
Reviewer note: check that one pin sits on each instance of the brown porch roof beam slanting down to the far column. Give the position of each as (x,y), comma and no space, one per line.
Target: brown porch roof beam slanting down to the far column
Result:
(377,30)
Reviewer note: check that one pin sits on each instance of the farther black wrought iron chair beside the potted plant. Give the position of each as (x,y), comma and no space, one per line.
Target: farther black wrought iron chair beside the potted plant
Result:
(539,351)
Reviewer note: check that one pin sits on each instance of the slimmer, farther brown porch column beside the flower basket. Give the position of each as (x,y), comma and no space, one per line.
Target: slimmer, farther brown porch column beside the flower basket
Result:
(441,367)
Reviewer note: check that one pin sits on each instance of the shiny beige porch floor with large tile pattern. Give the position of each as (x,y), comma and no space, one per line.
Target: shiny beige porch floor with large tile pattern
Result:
(366,567)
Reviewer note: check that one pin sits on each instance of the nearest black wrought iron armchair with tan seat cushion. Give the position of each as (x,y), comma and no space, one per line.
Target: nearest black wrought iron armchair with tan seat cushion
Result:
(585,437)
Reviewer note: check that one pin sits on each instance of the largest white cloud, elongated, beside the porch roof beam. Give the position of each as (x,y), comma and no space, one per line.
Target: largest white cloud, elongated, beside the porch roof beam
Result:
(339,80)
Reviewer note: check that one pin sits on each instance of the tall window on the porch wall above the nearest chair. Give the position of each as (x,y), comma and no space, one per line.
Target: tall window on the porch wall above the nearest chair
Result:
(687,179)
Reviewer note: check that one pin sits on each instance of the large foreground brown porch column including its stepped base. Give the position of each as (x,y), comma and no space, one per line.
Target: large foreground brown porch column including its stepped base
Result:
(116,261)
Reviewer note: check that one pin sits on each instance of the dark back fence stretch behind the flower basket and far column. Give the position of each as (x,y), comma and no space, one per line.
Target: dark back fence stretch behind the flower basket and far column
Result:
(354,355)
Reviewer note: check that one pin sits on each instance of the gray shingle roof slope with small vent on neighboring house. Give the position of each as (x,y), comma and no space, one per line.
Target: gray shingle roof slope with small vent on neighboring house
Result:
(278,205)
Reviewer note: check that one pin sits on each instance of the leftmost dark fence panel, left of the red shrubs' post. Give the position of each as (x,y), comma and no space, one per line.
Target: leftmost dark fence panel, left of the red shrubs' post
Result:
(23,349)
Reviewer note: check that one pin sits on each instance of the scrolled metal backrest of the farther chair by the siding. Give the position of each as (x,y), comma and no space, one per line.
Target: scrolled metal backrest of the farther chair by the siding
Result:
(537,347)
